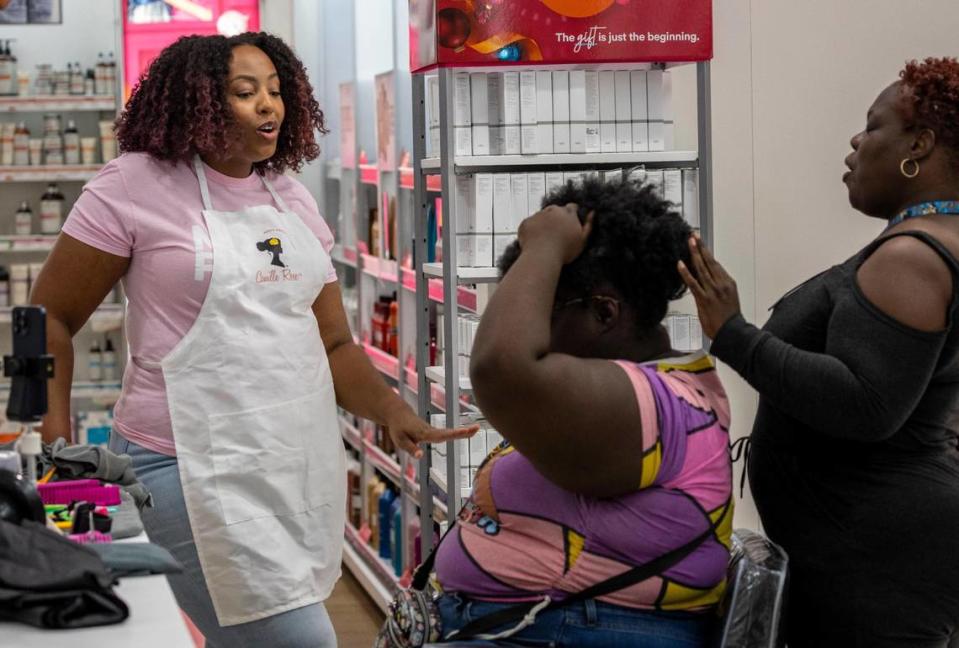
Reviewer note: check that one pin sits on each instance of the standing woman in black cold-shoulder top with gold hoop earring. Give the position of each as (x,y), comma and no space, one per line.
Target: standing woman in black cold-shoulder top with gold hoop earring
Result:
(854,463)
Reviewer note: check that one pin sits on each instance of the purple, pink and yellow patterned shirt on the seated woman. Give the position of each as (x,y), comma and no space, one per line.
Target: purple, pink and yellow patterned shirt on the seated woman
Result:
(520,537)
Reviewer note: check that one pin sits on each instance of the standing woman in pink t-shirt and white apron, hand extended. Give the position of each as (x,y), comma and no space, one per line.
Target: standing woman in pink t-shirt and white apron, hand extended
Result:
(239,350)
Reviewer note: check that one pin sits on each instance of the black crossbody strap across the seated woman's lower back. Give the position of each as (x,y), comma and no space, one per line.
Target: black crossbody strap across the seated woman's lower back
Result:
(620,581)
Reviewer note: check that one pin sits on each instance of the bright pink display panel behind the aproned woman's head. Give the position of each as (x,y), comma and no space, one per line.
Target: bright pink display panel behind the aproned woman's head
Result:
(151,25)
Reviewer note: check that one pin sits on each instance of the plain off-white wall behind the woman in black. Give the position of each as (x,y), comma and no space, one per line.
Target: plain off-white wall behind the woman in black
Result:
(791,84)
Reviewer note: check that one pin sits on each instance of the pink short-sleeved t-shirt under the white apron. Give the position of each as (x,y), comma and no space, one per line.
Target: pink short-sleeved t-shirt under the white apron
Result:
(150,211)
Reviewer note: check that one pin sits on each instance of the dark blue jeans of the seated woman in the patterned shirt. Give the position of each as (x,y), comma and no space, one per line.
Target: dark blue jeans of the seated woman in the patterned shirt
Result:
(590,624)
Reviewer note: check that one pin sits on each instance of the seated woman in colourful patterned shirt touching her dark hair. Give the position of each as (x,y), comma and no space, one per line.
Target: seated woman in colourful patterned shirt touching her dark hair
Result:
(617,445)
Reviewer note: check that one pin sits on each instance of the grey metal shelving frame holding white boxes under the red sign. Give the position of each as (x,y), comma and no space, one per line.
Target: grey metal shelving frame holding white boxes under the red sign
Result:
(446,480)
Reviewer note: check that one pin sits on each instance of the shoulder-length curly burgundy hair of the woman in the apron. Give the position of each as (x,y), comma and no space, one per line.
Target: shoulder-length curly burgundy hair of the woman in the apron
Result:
(179,105)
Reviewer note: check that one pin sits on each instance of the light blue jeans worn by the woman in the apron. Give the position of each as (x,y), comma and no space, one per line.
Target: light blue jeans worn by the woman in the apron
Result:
(167,525)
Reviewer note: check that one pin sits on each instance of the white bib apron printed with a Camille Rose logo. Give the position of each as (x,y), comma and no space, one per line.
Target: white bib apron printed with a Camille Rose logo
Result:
(254,417)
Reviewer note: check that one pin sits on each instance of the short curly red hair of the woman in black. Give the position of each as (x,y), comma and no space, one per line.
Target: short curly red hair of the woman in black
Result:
(933,97)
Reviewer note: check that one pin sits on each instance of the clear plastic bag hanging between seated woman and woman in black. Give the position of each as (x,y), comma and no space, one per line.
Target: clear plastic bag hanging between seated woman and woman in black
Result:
(754,605)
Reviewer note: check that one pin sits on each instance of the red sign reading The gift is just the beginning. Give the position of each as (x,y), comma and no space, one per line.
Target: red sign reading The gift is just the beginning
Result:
(524,32)
